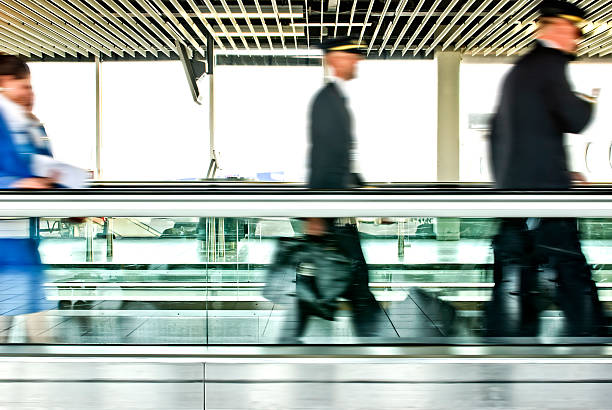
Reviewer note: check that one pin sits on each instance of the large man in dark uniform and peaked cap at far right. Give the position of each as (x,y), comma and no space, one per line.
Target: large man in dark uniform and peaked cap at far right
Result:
(536,108)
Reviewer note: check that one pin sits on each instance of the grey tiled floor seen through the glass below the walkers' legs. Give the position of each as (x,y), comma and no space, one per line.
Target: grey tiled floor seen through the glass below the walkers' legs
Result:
(408,321)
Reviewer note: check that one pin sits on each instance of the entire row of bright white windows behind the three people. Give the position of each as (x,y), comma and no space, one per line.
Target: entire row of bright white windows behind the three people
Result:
(394,103)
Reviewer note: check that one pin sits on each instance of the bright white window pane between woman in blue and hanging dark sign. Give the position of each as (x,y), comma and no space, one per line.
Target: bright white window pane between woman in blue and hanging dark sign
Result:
(151,127)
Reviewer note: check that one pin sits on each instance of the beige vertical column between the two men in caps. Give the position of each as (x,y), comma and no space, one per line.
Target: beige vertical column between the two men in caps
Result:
(448,134)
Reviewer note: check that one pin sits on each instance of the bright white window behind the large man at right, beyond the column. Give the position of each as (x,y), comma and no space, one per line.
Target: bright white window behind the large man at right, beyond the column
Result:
(589,152)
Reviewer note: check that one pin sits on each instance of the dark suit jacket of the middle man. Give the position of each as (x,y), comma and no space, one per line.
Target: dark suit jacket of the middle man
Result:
(331,141)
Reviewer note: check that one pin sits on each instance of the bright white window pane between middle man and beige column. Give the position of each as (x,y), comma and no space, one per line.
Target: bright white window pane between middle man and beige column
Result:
(395,113)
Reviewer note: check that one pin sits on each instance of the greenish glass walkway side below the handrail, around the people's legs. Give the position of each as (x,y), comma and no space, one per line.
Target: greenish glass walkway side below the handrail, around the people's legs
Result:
(200,281)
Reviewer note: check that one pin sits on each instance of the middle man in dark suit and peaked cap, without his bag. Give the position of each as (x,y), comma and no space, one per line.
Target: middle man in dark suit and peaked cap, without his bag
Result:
(332,167)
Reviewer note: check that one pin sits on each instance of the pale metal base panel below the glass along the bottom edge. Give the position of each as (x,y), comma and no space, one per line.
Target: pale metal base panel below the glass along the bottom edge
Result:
(445,382)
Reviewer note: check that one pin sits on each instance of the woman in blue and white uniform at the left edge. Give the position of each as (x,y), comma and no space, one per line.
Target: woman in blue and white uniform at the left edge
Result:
(21,138)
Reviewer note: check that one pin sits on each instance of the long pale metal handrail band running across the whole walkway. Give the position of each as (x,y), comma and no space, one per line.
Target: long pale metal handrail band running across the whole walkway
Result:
(303,203)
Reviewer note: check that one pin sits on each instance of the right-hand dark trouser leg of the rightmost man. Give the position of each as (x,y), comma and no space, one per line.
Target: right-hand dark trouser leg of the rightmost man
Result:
(557,239)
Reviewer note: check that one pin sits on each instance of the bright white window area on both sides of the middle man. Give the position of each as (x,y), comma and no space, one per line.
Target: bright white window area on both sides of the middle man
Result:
(263,133)
